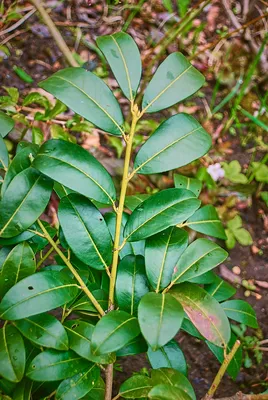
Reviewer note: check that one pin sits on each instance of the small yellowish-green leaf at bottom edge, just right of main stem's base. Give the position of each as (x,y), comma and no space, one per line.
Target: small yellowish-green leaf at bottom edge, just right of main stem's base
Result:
(136,387)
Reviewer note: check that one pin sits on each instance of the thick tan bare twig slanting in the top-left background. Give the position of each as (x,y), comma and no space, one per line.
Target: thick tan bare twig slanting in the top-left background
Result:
(55,33)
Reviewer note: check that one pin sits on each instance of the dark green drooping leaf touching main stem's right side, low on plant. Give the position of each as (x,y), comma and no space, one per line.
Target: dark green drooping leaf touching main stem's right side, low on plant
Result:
(131,283)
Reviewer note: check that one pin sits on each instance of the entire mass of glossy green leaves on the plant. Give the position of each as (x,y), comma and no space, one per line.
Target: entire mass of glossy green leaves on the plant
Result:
(163,283)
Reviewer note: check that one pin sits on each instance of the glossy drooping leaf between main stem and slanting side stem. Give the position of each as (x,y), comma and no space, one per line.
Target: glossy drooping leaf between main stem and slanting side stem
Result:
(85,231)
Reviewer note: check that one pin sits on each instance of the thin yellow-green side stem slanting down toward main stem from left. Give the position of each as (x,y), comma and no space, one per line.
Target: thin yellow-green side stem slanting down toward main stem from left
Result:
(72,269)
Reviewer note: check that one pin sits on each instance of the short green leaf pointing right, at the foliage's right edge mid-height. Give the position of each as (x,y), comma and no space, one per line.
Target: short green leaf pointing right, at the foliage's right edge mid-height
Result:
(206,220)
